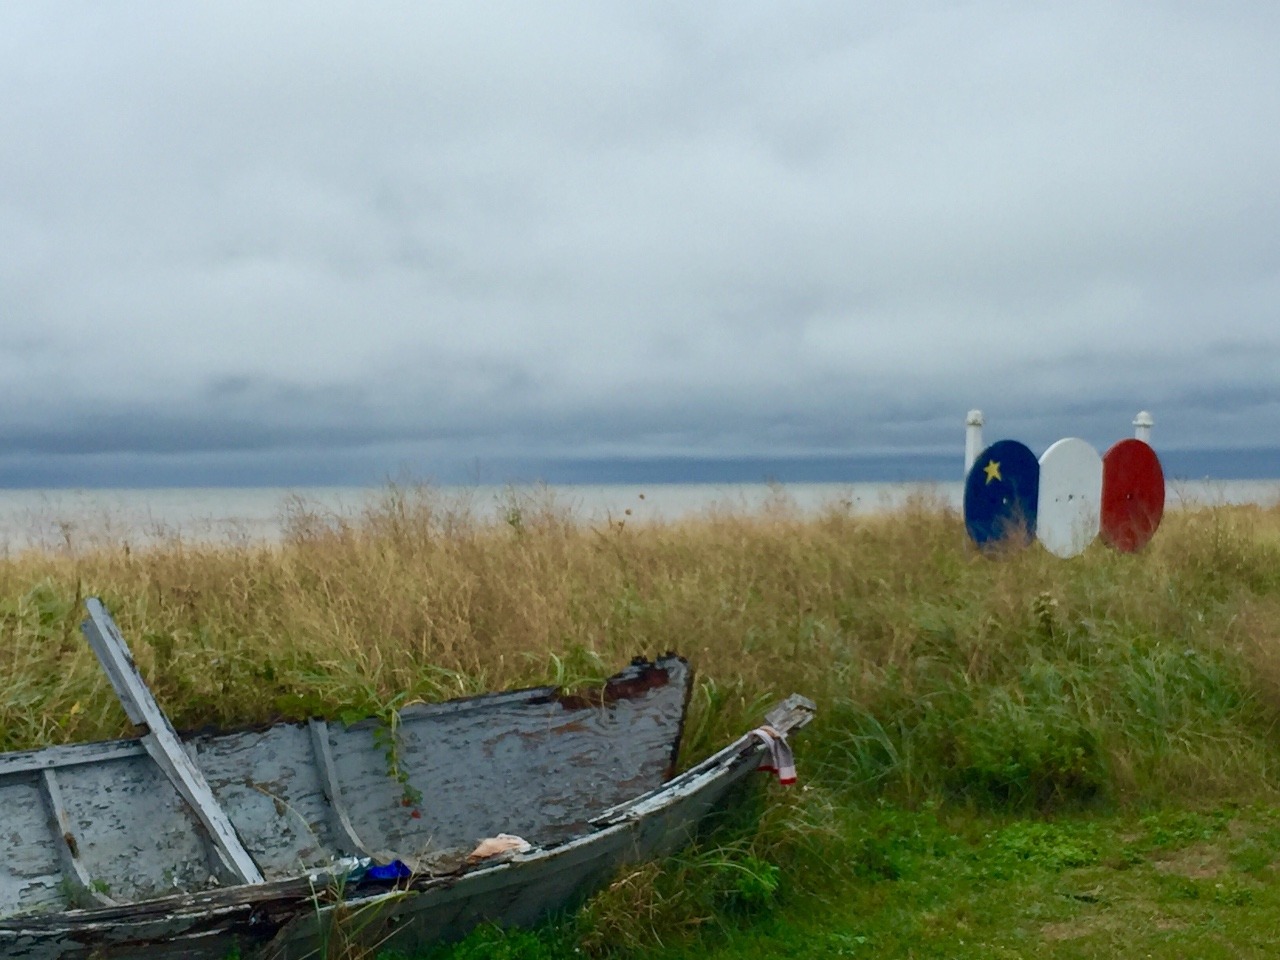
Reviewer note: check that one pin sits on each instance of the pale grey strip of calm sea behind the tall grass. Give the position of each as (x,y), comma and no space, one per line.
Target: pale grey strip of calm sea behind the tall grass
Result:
(80,519)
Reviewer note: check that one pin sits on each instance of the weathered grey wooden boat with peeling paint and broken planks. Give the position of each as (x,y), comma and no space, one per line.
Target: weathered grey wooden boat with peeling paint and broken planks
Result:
(289,840)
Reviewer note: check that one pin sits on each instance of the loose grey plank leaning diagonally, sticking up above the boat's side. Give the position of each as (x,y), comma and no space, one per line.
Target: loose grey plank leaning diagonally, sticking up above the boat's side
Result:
(162,742)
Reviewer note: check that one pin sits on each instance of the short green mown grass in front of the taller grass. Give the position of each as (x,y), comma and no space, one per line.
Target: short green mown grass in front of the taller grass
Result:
(952,884)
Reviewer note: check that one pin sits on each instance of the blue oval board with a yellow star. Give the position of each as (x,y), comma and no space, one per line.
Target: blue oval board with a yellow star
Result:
(1002,496)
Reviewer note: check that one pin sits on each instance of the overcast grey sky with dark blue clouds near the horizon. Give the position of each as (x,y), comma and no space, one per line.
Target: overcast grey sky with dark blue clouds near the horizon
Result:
(285,244)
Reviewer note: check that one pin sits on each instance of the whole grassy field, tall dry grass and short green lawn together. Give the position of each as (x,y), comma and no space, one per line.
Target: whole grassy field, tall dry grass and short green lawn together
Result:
(1023,757)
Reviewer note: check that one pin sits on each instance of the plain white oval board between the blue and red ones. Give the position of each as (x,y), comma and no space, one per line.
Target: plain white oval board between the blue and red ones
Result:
(1071,500)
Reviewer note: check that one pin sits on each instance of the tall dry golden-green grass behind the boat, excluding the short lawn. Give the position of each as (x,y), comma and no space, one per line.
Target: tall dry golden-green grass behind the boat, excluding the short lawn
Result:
(1026,680)
